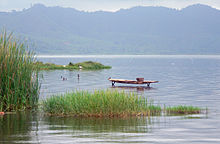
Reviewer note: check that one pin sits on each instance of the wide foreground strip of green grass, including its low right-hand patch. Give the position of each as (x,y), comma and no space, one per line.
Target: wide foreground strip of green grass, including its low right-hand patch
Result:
(106,103)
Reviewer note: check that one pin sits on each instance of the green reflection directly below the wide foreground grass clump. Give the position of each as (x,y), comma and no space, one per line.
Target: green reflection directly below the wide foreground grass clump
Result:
(97,125)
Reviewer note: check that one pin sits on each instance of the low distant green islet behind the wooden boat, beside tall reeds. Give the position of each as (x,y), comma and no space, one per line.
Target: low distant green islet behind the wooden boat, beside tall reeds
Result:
(87,65)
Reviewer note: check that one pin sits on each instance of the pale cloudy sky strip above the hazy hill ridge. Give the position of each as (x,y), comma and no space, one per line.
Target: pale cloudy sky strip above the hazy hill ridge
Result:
(106,5)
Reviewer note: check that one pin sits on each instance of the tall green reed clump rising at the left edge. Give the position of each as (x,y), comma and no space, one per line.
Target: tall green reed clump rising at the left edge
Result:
(19,87)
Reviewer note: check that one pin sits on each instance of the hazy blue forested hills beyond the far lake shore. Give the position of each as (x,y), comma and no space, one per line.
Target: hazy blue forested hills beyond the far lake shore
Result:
(138,30)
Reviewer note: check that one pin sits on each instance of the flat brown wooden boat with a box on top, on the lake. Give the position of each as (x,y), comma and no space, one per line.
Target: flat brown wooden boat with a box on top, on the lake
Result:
(137,81)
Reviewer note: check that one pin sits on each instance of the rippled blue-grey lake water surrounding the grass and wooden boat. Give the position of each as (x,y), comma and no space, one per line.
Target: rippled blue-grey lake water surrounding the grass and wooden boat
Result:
(186,80)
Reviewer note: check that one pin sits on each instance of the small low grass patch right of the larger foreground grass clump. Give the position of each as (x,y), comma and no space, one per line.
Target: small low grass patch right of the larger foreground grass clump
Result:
(182,110)
